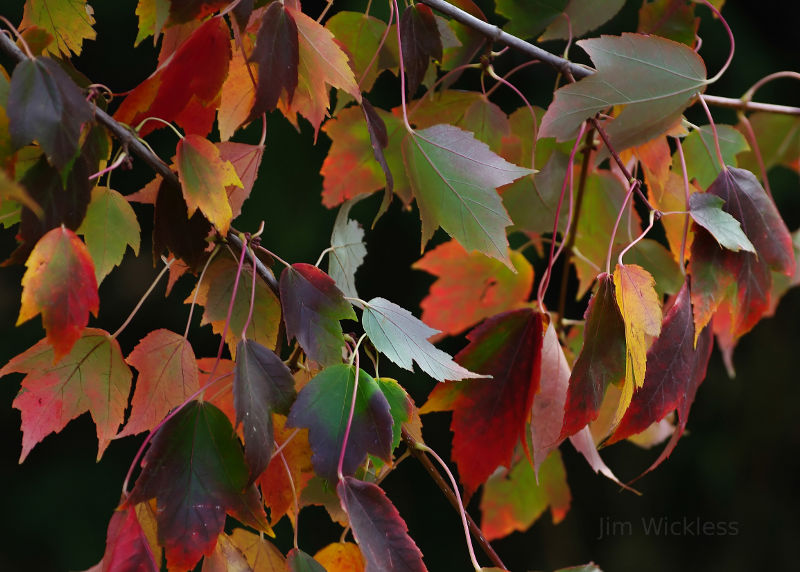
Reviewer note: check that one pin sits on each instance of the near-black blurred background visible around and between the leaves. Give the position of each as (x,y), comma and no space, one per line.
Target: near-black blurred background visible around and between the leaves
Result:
(738,466)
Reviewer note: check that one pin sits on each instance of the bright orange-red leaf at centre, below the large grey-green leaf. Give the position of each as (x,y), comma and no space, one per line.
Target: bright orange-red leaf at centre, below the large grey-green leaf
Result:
(470,286)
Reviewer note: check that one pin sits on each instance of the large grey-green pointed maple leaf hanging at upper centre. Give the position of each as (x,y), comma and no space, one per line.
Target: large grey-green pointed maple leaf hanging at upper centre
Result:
(454,178)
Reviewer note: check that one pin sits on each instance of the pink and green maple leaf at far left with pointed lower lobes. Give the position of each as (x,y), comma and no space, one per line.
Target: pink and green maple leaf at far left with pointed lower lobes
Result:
(92,377)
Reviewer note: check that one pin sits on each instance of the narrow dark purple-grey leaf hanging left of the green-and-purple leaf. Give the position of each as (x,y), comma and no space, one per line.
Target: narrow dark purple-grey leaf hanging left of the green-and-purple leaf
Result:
(262,384)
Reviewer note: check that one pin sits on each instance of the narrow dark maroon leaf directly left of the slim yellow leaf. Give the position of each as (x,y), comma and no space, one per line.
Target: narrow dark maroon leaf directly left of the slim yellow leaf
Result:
(601,361)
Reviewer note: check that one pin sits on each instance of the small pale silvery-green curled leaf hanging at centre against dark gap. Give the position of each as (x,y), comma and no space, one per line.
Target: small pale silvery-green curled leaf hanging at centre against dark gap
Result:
(347,250)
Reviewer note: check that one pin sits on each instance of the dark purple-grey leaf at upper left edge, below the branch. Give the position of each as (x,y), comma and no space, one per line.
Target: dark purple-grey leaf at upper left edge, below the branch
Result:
(45,105)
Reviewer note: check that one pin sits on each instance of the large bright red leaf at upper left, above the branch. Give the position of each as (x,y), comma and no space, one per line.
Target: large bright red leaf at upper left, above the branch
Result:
(180,90)
